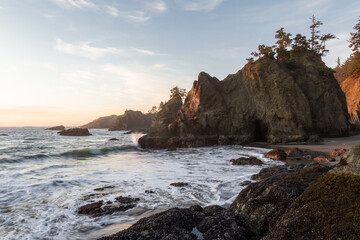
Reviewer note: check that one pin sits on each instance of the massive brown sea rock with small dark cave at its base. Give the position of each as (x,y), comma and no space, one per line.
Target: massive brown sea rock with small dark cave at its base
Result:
(265,101)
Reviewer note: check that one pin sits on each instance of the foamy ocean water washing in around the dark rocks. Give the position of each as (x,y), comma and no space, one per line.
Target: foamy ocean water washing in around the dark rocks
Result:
(45,178)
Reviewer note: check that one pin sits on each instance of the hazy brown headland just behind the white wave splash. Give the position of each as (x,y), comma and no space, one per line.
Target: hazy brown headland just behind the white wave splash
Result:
(132,120)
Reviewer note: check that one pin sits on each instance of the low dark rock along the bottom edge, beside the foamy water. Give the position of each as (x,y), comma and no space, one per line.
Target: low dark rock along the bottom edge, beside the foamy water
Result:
(210,223)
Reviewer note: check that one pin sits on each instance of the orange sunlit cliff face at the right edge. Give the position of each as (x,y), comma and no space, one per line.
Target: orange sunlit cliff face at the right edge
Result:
(351,88)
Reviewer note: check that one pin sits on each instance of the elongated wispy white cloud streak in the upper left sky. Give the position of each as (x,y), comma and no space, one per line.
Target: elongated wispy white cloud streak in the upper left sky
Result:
(85,50)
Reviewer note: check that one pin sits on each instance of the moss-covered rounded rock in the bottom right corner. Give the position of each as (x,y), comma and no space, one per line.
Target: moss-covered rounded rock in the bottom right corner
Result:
(328,209)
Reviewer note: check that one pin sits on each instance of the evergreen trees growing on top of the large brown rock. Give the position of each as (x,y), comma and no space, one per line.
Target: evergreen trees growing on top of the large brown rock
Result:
(285,44)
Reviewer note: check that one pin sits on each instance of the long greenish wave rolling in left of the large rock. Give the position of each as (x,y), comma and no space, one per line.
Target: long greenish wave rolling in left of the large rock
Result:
(77,154)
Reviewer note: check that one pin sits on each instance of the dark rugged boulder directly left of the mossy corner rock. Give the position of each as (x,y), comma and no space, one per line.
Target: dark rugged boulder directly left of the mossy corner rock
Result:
(264,202)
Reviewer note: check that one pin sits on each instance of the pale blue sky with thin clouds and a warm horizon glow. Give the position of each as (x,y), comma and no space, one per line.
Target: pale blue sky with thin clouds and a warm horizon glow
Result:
(71,61)
